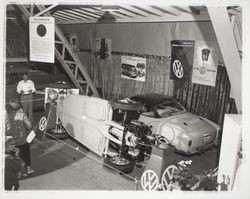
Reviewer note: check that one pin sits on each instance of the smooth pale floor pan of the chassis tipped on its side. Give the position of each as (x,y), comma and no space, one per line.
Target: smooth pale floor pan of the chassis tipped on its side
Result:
(83,118)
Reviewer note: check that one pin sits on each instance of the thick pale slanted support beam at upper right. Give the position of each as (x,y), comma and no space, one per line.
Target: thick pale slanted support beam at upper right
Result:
(225,37)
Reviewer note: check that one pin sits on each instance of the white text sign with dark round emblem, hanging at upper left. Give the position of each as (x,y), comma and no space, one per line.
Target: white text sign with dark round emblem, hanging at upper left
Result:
(42,39)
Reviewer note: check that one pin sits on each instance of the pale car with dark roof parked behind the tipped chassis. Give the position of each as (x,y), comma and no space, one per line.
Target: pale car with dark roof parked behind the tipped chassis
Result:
(189,133)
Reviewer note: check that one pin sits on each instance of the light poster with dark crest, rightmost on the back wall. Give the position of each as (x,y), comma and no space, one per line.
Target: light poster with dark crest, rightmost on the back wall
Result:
(205,63)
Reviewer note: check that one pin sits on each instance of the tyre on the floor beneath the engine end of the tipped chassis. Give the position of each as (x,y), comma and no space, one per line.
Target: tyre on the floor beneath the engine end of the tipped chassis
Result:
(121,164)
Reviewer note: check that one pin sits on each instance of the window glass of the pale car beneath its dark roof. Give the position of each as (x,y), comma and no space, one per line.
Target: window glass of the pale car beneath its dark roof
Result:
(164,109)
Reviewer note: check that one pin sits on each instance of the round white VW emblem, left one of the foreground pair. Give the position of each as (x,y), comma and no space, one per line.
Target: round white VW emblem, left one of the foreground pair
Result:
(149,180)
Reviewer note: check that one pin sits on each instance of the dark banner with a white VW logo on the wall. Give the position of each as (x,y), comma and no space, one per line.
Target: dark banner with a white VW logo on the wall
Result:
(182,54)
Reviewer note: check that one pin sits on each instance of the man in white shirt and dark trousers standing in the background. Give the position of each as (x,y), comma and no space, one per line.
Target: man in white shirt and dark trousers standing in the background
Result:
(26,89)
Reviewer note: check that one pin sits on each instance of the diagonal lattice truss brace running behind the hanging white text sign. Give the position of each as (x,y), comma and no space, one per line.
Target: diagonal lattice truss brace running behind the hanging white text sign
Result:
(66,55)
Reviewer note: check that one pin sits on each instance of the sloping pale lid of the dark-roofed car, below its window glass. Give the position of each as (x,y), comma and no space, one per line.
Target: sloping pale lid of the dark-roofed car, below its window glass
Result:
(192,123)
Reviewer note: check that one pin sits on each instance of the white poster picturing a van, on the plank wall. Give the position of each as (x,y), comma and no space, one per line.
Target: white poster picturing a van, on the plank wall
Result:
(133,68)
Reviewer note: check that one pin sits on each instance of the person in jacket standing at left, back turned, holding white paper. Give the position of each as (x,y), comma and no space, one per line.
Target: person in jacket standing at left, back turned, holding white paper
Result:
(20,126)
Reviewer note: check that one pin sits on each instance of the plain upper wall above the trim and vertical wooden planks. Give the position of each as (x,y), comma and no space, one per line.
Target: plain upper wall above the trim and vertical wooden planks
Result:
(145,38)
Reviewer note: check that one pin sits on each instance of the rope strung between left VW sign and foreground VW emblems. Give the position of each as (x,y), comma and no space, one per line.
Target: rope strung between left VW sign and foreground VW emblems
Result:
(93,158)
